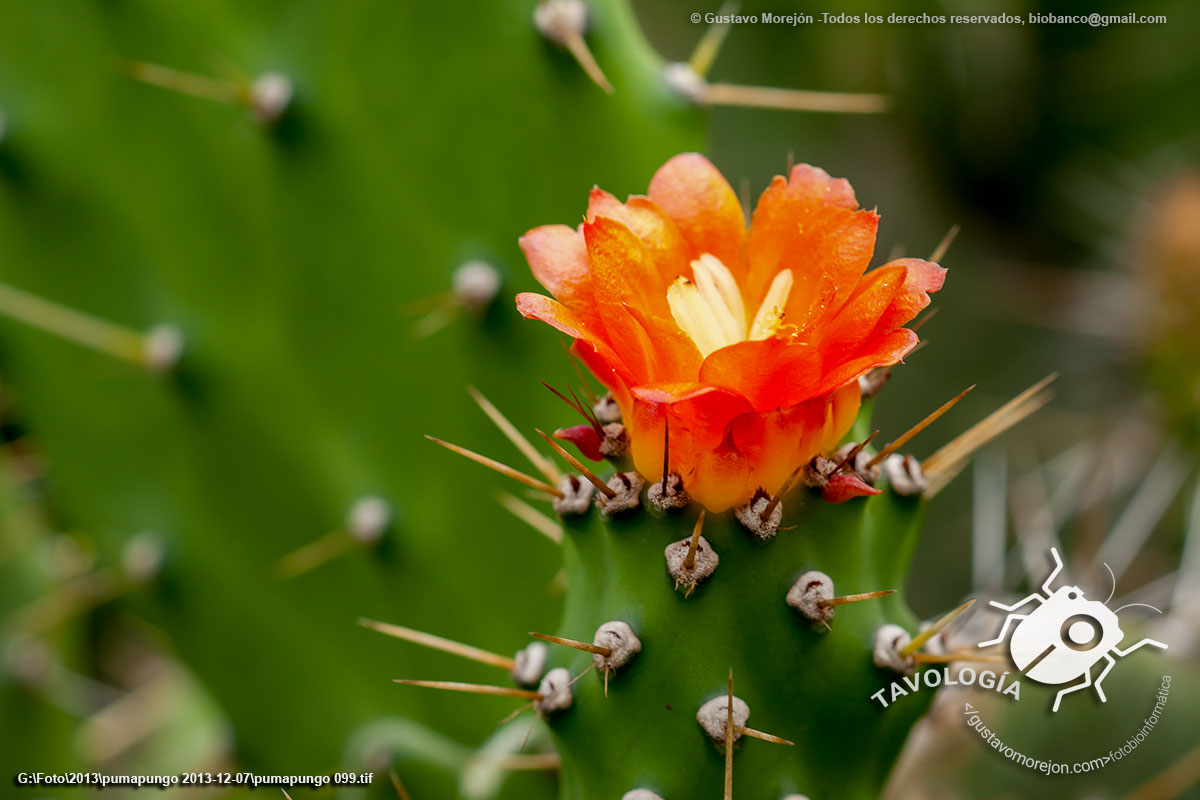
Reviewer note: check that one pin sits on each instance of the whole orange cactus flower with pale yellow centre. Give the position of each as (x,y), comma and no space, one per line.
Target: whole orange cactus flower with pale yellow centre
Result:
(747,344)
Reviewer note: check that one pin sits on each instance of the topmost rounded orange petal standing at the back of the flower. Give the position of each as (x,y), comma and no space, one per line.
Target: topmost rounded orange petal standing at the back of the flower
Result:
(692,191)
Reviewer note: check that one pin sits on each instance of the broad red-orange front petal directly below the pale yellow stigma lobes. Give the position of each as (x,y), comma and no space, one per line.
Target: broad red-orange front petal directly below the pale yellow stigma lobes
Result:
(771,374)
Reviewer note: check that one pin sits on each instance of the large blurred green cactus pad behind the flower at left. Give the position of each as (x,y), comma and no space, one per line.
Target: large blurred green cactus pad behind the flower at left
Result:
(295,260)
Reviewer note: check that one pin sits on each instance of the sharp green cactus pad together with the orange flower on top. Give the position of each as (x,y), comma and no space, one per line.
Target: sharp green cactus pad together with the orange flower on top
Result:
(734,354)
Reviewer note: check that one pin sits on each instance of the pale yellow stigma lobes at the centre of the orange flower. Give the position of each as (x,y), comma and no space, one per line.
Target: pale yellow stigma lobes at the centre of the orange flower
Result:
(712,311)
